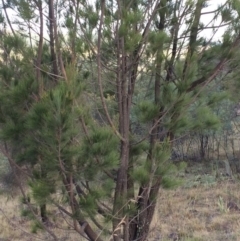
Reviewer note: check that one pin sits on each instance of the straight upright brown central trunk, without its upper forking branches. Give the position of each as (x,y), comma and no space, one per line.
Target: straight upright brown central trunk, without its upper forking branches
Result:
(123,106)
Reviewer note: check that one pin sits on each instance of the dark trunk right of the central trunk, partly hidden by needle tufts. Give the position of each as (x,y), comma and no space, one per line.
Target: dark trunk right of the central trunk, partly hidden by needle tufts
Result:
(147,194)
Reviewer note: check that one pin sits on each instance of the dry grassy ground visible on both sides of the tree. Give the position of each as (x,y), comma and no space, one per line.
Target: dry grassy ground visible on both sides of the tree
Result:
(204,208)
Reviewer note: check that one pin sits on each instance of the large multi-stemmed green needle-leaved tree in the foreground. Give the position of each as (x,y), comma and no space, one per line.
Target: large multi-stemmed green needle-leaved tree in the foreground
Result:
(103,56)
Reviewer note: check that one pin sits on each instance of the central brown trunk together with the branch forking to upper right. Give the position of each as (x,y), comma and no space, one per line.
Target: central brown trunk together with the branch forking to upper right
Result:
(127,65)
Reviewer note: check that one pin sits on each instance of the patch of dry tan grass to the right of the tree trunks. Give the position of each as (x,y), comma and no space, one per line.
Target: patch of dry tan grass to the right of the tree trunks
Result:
(204,212)
